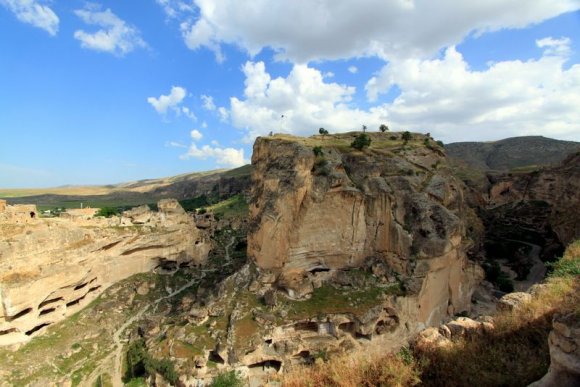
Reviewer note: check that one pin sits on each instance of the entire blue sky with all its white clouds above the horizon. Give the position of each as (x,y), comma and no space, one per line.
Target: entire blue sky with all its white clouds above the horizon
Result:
(105,92)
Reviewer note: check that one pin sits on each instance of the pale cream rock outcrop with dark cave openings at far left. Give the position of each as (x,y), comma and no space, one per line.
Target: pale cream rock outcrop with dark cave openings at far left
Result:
(50,268)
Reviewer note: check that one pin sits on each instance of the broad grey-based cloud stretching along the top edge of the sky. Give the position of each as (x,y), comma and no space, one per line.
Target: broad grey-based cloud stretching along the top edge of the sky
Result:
(331,29)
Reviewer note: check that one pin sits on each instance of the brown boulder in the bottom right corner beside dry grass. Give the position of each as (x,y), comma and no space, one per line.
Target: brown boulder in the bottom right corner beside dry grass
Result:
(564,342)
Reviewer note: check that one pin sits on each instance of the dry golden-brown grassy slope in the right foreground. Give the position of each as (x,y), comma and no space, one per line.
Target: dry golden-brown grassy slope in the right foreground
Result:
(515,353)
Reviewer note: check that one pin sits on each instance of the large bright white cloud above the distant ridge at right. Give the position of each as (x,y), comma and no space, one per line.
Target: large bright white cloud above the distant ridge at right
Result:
(444,96)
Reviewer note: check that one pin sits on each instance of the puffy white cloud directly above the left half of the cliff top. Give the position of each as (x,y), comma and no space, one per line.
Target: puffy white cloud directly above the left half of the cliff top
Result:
(299,104)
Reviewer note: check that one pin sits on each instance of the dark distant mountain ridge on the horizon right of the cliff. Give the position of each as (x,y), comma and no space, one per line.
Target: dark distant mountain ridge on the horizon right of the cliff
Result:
(510,153)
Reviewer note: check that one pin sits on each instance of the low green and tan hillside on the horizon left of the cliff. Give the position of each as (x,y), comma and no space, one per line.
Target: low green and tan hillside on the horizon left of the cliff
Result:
(218,183)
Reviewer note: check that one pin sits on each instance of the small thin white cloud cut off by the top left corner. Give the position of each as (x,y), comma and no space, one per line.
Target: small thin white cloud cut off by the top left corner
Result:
(33,12)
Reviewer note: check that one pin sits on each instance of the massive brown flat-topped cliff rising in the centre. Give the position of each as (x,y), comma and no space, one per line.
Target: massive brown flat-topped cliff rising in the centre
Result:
(392,207)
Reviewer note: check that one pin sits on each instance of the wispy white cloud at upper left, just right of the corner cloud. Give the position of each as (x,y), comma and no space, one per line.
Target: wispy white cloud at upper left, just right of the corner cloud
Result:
(114,36)
